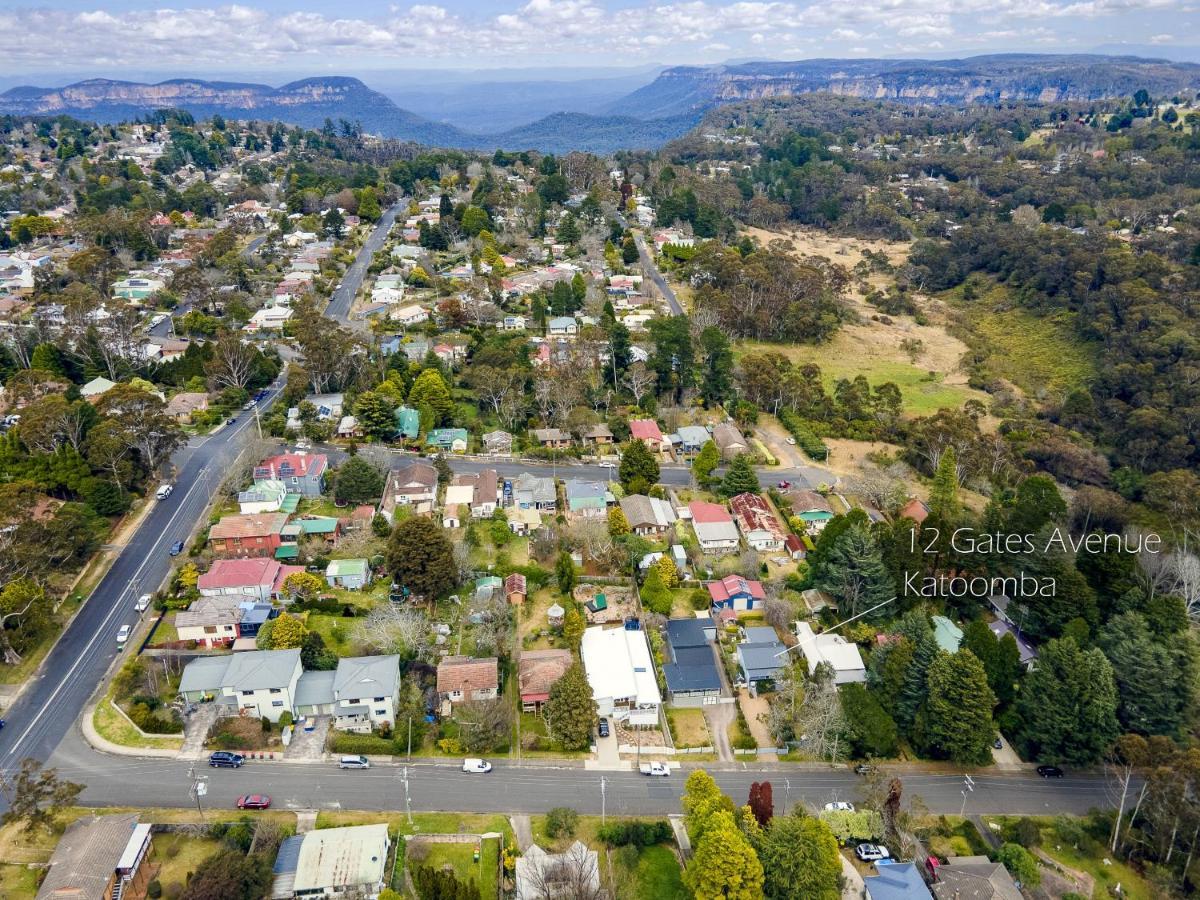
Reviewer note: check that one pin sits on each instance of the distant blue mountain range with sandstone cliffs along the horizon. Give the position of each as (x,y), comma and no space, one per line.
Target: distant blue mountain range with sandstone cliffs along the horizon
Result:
(647,118)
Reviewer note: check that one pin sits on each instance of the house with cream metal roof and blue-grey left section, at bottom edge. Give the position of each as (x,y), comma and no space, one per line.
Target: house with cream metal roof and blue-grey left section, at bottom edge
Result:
(350,862)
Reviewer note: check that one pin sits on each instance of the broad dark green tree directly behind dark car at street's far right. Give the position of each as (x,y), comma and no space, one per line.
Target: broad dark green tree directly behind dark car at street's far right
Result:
(1069,705)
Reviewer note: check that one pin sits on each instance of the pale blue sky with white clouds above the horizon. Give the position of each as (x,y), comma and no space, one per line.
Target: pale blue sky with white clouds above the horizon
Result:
(121,38)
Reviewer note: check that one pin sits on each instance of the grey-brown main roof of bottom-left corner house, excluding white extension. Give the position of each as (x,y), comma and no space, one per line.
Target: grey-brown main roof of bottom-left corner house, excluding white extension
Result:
(85,863)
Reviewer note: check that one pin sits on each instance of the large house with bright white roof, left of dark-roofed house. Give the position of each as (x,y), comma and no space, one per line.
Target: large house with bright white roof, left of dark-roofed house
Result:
(621,673)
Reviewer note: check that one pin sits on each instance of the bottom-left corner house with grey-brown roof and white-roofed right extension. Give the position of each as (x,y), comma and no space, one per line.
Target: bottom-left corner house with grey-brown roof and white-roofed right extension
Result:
(100,859)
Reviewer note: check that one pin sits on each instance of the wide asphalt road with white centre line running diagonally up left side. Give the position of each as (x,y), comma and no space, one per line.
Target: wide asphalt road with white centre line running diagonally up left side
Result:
(53,701)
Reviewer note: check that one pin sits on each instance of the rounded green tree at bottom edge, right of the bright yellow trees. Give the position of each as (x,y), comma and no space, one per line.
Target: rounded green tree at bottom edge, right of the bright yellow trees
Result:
(800,860)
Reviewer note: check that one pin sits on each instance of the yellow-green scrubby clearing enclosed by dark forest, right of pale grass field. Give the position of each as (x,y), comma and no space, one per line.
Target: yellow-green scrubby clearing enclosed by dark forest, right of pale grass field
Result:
(1040,355)
